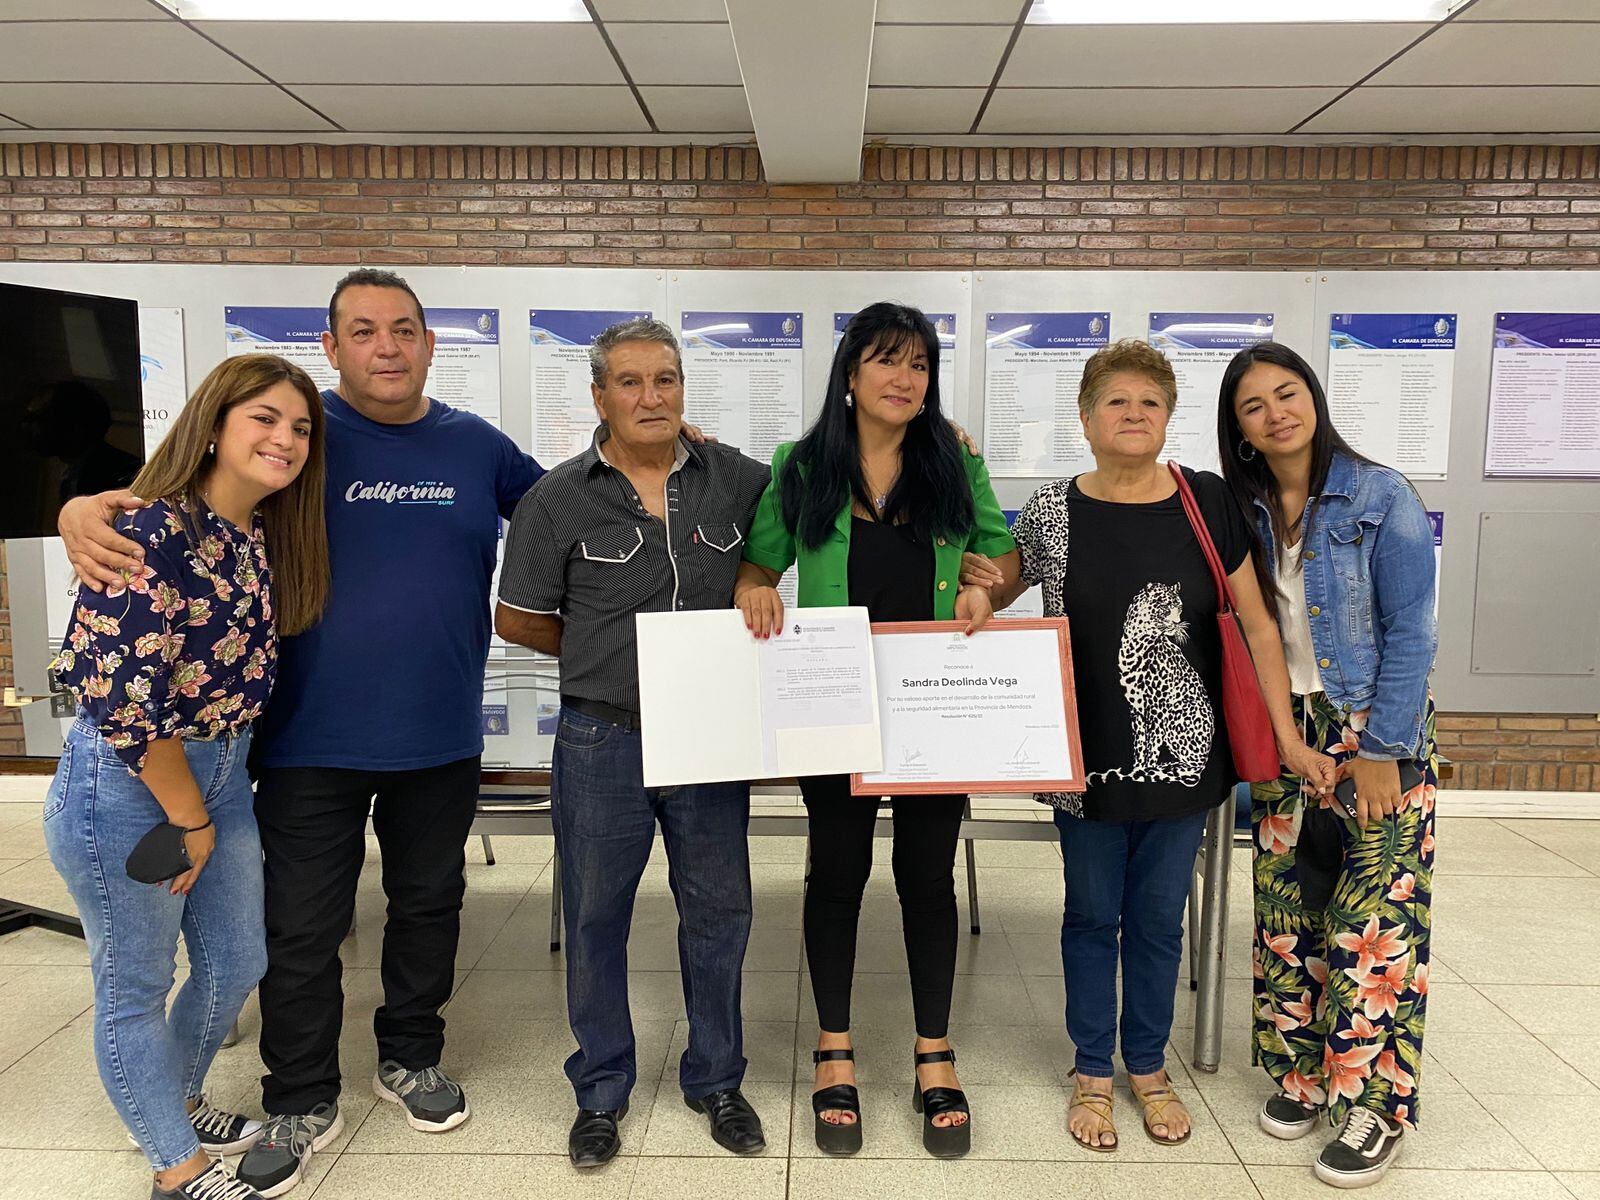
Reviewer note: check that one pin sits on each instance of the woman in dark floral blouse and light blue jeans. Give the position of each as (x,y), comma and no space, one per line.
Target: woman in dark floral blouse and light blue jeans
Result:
(170,665)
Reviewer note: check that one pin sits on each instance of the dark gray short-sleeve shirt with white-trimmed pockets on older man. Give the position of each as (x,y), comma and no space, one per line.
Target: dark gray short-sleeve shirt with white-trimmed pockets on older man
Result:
(583,546)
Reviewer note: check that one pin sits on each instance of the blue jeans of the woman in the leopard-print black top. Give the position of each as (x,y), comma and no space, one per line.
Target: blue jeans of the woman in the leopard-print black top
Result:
(1127,884)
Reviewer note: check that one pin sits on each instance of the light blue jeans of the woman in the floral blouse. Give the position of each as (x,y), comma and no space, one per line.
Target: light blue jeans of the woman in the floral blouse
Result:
(151,1062)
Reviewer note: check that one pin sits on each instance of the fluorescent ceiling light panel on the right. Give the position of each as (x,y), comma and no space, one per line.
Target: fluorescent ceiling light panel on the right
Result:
(1233,12)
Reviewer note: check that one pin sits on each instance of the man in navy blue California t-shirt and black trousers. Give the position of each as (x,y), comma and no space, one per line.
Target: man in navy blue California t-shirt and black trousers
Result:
(377,706)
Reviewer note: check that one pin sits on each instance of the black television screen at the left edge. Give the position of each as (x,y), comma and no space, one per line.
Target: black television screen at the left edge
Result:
(71,417)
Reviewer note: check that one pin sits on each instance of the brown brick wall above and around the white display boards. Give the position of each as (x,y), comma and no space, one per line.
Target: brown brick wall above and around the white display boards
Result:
(916,209)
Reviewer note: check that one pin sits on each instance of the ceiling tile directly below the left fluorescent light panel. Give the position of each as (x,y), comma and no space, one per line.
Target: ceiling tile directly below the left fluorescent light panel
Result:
(420,52)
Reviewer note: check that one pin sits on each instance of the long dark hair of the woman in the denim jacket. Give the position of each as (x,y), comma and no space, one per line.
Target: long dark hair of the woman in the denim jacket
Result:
(1250,479)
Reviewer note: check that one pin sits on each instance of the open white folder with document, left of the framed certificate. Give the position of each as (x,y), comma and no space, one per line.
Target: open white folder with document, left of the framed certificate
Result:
(719,705)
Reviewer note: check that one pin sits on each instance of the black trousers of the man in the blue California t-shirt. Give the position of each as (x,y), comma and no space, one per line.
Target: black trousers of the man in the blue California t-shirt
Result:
(314,841)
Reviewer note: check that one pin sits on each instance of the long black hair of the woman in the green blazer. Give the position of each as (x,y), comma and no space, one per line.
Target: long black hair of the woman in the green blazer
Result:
(932,494)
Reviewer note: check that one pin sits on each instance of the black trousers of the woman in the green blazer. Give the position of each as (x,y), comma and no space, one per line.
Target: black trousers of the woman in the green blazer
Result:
(842,826)
